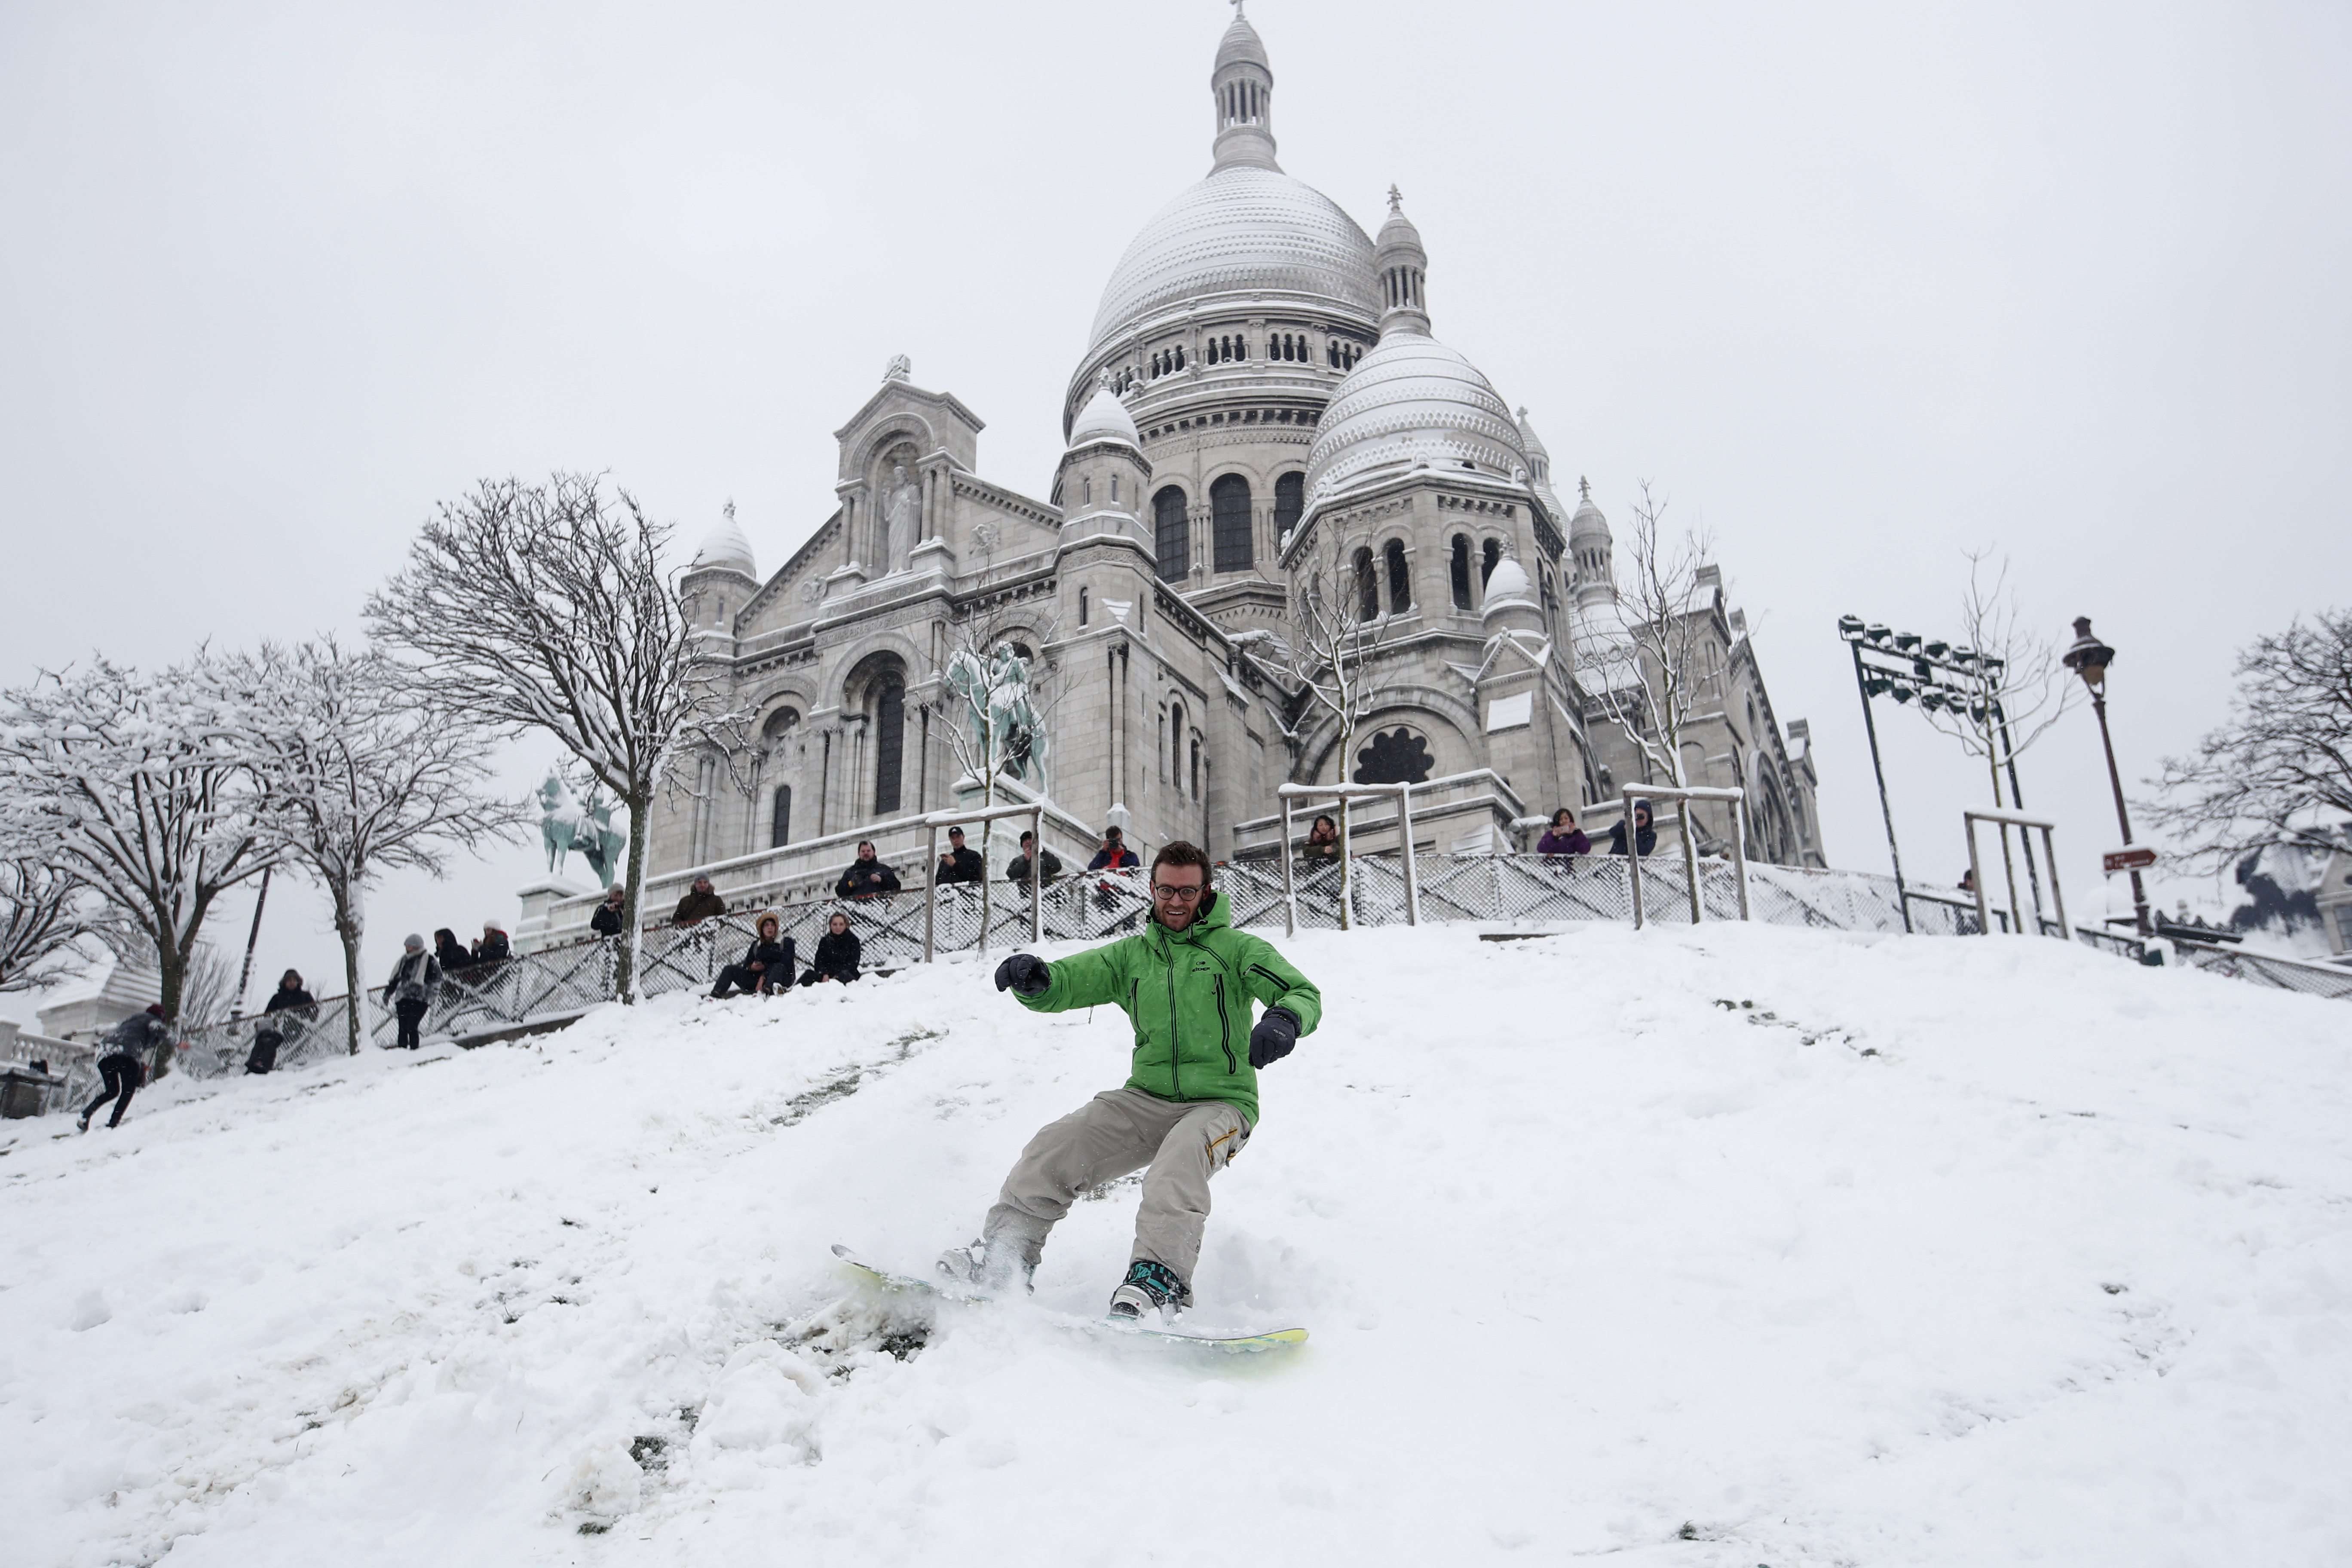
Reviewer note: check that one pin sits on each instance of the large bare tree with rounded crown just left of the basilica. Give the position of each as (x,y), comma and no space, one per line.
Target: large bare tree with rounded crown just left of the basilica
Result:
(552,610)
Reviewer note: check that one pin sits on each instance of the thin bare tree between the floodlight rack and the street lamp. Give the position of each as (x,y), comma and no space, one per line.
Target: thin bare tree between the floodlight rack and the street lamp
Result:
(2017,688)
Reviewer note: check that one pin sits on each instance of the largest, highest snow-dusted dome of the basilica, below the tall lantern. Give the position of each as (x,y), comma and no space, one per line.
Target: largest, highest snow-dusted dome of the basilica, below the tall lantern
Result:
(1241,232)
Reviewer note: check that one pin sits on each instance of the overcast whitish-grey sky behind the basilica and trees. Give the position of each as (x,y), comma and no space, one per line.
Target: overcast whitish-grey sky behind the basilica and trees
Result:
(1855,286)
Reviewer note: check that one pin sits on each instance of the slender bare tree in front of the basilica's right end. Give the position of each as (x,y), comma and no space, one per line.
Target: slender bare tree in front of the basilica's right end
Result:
(1645,669)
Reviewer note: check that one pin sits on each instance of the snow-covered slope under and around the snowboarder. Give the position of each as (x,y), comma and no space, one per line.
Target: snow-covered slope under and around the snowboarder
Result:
(1942,1252)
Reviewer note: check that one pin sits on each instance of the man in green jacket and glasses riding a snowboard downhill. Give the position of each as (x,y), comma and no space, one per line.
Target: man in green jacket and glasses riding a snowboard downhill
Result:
(1187,1108)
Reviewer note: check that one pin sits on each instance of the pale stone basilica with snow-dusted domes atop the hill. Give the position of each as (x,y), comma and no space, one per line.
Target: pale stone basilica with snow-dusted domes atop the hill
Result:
(1262,398)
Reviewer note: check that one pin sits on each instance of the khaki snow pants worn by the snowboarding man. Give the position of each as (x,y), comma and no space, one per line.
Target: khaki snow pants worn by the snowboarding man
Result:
(1116,1134)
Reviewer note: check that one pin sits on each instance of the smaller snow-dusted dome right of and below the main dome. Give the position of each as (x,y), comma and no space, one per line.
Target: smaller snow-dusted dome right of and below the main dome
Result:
(1412,401)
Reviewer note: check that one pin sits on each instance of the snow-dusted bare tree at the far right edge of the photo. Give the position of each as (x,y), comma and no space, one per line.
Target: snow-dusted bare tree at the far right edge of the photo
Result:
(2283,763)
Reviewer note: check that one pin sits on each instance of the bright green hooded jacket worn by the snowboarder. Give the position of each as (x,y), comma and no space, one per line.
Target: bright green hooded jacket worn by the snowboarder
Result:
(1187,993)
